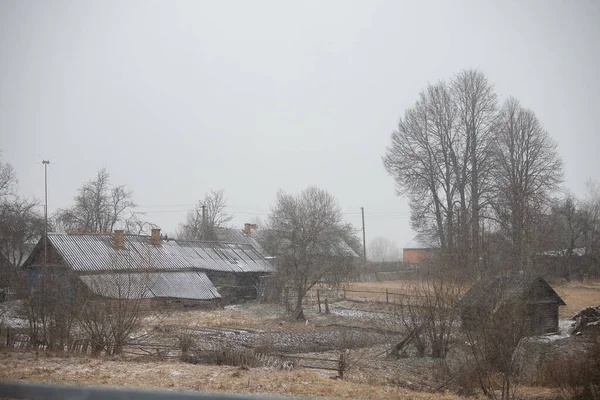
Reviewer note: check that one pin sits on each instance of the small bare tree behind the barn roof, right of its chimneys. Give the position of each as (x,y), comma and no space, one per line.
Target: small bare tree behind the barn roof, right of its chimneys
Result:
(199,227)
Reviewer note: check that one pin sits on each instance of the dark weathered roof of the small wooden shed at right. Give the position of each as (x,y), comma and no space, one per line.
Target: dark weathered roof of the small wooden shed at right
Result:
(488,293)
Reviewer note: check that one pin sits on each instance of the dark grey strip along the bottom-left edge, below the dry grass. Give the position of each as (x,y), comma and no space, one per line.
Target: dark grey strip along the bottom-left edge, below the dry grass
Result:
(34,391)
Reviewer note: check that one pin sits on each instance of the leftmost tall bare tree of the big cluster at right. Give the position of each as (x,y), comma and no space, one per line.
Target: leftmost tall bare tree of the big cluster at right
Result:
(423,159)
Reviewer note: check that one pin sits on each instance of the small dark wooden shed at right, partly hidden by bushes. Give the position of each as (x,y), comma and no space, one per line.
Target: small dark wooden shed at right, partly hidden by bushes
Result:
(489,295)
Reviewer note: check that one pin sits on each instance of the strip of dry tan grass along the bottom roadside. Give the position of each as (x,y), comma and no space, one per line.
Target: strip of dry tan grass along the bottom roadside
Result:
(85,371)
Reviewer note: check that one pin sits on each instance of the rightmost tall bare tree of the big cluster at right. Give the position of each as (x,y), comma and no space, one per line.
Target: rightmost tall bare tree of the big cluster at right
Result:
(528,170)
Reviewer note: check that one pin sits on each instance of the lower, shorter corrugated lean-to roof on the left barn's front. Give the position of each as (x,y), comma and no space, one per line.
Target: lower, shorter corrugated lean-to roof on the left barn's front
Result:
(145,285)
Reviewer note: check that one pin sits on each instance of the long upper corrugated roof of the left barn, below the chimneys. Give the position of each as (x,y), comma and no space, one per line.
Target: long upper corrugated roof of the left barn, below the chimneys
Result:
(89,253)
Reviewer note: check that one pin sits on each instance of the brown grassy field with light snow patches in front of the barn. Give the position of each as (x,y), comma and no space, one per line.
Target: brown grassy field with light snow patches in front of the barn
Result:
(366,329)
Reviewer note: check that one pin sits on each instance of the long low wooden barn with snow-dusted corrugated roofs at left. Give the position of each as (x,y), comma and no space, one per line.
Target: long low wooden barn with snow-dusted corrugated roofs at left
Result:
(149,266)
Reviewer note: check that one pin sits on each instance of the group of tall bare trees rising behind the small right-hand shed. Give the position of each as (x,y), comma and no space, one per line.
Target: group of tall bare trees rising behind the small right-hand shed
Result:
(483,178)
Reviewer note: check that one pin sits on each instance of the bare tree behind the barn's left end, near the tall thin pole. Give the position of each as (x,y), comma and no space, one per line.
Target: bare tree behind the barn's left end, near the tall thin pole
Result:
(99,207)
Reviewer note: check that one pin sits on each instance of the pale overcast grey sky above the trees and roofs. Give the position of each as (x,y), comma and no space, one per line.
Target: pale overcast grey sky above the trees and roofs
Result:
(178,97)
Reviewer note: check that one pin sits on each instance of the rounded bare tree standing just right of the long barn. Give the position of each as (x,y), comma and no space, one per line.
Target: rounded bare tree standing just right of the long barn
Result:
(309,239)
